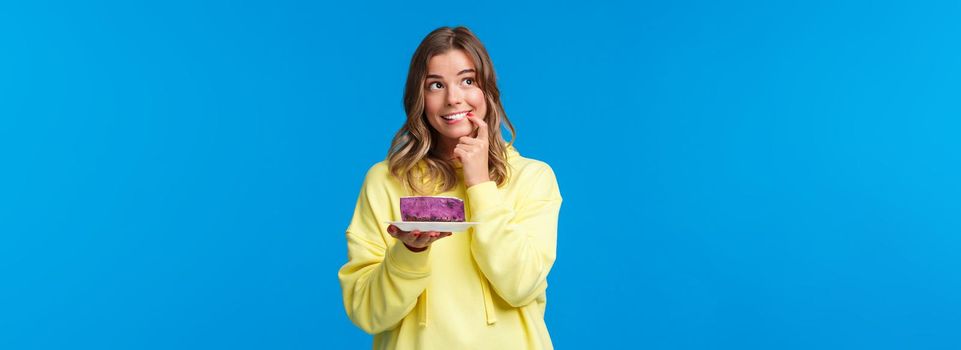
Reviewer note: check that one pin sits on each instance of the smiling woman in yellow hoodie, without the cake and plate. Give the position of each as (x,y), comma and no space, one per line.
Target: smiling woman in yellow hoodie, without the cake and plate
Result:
(479,289)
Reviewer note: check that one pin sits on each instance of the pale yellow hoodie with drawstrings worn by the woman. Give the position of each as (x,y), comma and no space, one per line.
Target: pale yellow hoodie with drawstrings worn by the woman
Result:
(479,289)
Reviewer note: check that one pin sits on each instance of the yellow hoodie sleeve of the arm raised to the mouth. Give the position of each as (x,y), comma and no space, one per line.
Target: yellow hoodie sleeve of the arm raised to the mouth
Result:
(516,248)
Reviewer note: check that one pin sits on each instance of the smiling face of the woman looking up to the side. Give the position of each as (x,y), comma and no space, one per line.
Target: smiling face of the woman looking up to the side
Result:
(450,91)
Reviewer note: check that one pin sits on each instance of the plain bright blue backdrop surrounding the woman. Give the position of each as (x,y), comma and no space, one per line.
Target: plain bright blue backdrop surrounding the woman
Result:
(737,175)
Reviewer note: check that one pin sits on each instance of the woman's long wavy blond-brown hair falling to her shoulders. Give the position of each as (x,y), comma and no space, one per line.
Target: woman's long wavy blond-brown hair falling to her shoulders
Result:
(411,157)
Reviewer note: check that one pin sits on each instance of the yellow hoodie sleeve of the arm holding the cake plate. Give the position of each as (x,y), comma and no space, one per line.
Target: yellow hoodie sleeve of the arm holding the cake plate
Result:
(380,282)
